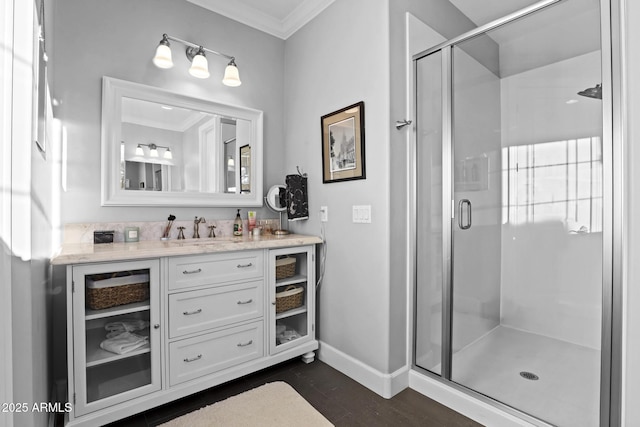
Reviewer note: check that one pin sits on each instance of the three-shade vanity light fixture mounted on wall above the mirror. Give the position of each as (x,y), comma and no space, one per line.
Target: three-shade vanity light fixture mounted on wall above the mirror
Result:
(199,64)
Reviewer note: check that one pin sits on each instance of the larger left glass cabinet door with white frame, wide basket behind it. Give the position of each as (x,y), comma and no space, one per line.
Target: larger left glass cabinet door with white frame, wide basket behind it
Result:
(116,336)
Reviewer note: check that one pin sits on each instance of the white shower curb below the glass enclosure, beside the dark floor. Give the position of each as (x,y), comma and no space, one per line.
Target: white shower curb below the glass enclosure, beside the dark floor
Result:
(463,403)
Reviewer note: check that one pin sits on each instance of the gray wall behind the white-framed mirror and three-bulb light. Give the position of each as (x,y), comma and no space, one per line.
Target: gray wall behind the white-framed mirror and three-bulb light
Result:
(118,38)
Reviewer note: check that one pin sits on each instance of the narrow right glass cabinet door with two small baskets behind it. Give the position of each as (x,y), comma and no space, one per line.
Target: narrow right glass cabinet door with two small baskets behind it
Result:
(292,293)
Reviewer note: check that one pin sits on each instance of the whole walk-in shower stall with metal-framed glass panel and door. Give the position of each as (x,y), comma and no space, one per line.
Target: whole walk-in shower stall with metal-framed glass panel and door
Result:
(513,184)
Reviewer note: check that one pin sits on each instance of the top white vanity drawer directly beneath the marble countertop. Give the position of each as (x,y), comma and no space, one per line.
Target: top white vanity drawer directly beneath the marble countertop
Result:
(186,272)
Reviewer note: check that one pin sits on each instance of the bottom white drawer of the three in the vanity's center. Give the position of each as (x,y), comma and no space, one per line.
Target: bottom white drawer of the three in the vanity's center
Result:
(194,357)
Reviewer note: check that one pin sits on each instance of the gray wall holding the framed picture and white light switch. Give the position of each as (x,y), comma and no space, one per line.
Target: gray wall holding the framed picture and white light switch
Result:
(336,60)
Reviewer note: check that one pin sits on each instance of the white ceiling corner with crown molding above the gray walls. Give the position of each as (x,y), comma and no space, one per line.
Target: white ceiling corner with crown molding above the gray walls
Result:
(280,18)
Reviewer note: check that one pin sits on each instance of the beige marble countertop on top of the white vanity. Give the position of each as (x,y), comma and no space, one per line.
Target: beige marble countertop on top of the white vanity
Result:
(78,253)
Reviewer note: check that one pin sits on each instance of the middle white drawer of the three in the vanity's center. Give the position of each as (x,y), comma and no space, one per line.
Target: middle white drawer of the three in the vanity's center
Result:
(197,311)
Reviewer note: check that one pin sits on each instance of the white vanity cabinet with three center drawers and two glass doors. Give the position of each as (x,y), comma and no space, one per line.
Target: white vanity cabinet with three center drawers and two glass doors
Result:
(210,317)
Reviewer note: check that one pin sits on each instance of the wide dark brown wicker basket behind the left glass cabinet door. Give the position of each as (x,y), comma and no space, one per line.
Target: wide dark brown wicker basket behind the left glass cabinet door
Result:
(110,292)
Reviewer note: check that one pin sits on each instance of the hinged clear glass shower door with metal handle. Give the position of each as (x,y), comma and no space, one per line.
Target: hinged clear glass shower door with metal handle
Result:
(527,232)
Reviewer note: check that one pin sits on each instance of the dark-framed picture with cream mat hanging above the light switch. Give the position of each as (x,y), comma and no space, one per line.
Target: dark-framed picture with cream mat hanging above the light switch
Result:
(343,148)
